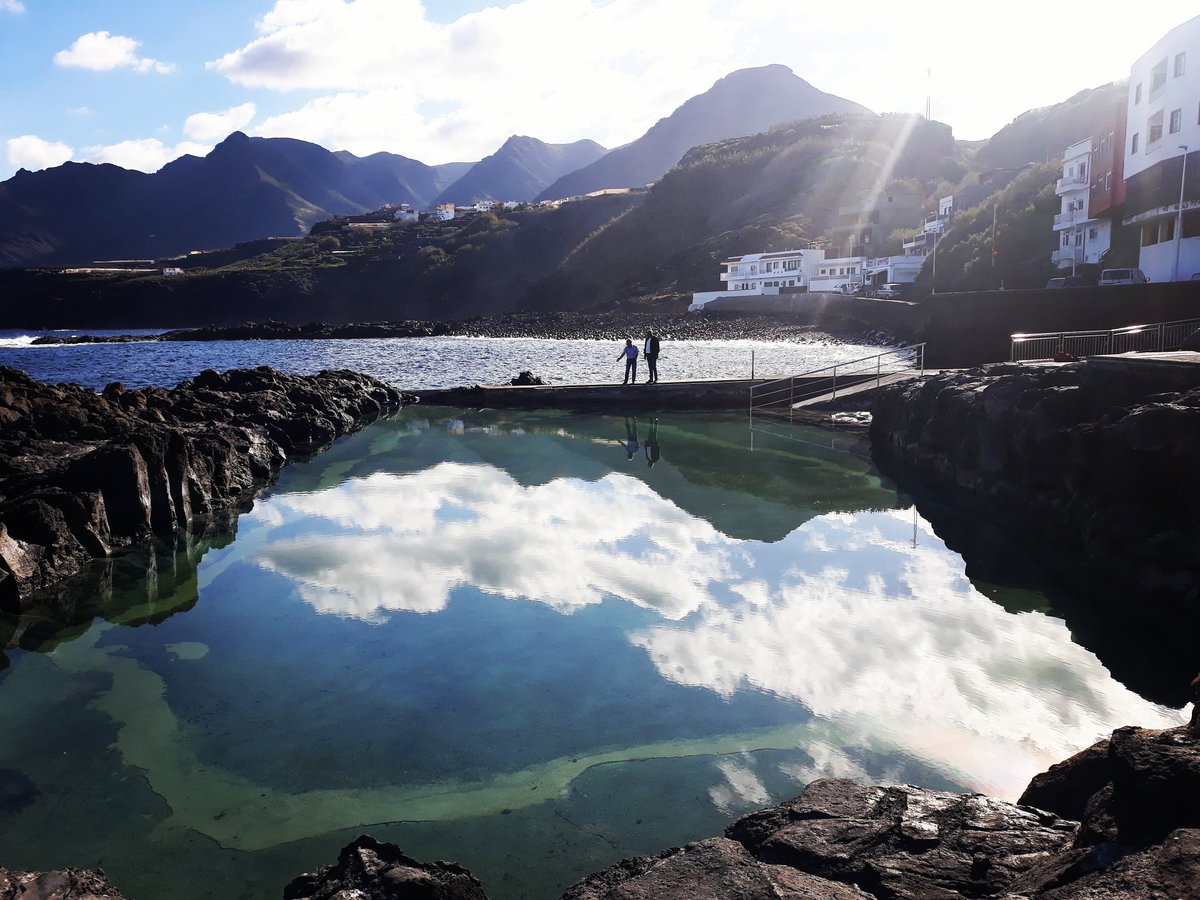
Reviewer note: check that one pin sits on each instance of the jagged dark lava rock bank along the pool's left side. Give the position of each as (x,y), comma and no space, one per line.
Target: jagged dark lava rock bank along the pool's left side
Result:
(85,476)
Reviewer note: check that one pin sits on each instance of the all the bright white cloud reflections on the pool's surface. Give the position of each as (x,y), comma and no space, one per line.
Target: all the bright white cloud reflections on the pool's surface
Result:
(867,620)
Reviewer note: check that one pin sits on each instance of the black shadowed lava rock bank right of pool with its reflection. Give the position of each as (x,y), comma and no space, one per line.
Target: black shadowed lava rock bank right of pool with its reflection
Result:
(1090,469)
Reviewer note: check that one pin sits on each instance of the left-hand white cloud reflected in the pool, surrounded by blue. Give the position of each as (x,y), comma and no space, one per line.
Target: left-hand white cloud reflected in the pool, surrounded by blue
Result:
(453,525)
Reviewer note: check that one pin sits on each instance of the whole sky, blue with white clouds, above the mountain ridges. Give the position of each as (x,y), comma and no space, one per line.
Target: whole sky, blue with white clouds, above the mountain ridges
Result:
(140,82)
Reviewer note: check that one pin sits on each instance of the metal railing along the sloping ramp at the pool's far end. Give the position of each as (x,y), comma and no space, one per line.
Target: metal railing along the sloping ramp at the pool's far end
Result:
(788,394)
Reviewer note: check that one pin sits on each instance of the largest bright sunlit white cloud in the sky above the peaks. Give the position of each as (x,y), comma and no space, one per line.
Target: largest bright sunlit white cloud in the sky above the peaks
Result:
(565,70)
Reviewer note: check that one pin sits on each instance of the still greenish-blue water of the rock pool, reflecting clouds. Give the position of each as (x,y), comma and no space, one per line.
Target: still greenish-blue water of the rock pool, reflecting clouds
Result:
(532,643)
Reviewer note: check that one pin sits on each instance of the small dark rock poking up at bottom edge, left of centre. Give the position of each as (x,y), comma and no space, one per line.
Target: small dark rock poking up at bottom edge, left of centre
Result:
(373,871)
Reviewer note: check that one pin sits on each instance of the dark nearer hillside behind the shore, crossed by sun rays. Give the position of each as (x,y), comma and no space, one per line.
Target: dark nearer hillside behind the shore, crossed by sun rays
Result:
(778,190)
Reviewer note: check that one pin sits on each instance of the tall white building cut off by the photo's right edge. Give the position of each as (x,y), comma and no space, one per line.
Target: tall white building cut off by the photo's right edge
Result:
(1162,155)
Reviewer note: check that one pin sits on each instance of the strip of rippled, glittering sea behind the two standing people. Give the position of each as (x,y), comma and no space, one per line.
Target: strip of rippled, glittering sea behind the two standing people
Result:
(417,363)
